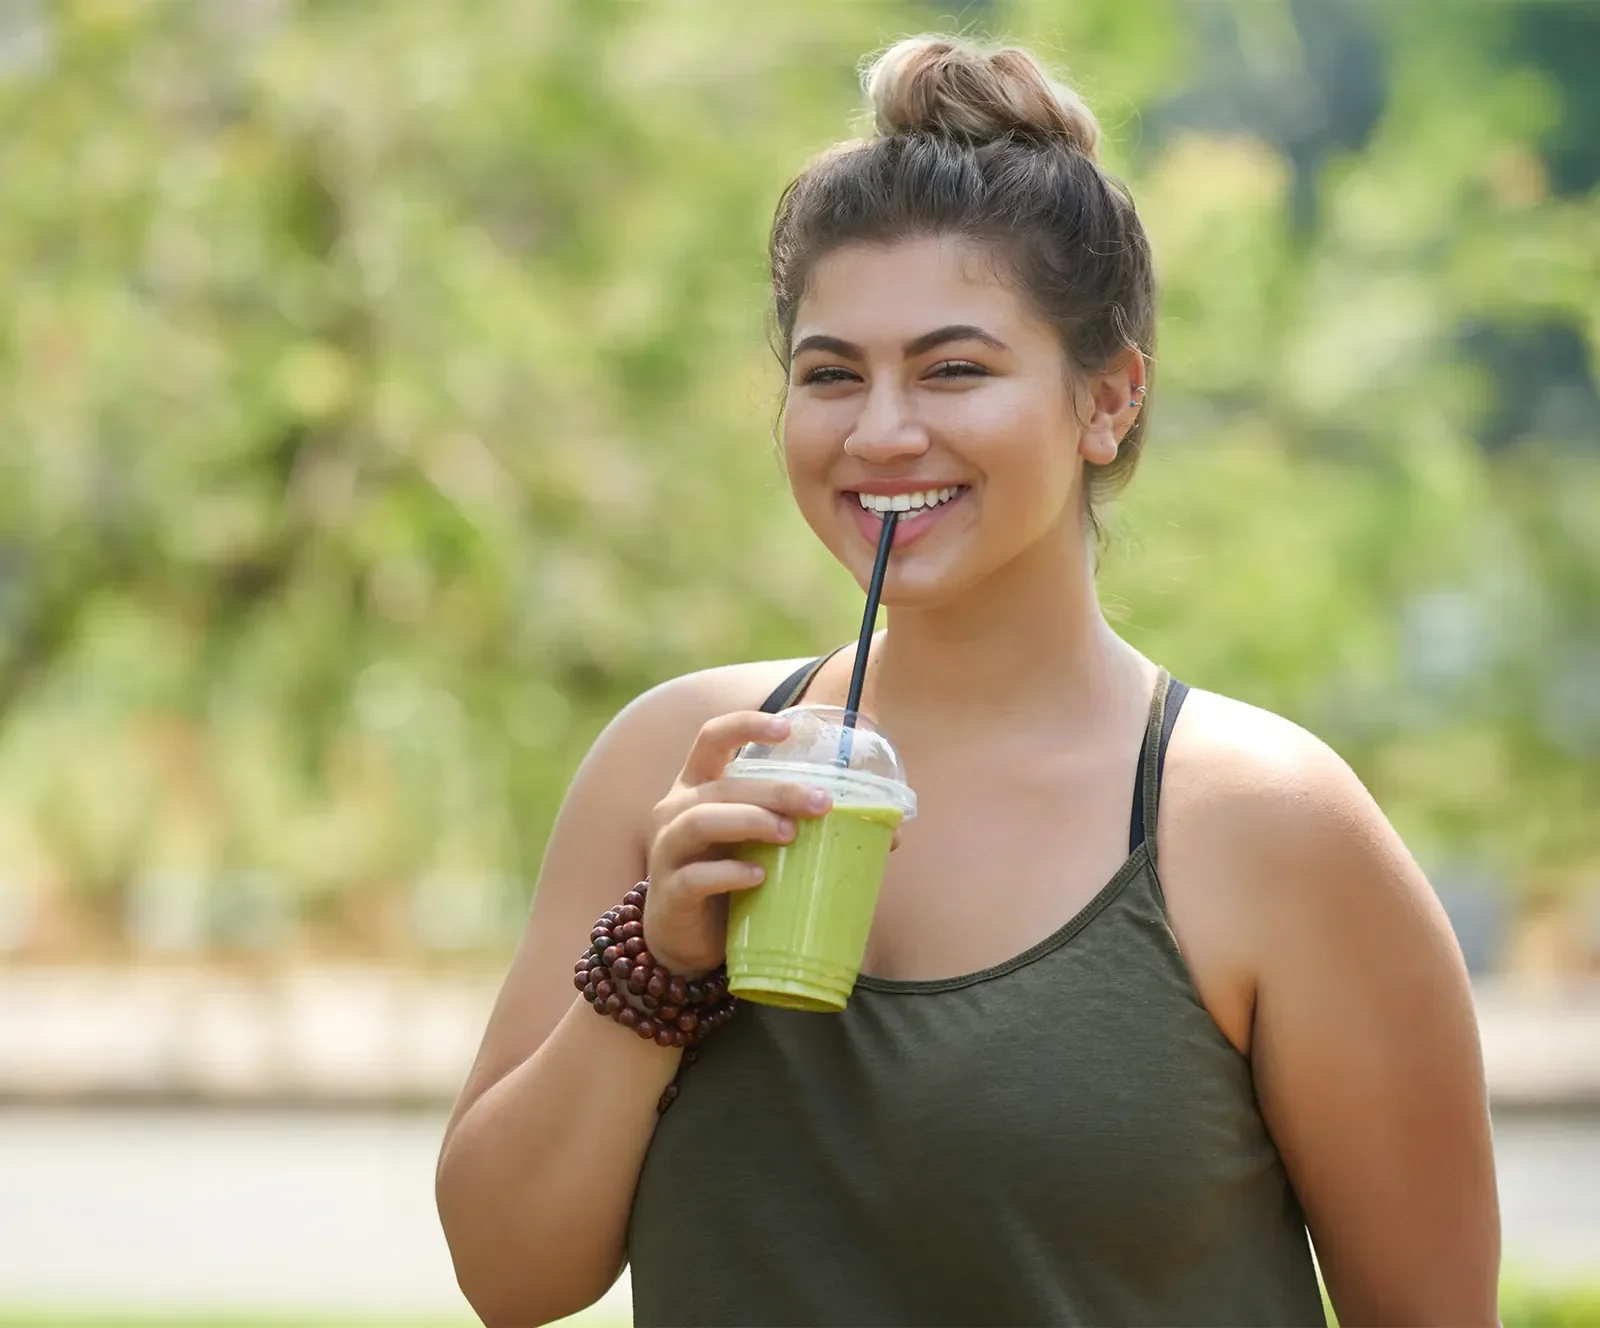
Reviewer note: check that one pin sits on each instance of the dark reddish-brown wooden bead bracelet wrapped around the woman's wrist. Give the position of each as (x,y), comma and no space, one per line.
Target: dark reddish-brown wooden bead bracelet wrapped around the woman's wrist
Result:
(620,978)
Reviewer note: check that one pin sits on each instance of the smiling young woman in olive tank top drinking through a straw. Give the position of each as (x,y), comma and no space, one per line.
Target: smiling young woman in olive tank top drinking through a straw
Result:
(1153,986)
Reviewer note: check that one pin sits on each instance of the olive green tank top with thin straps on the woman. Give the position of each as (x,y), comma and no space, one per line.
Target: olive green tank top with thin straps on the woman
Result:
(1063,1138)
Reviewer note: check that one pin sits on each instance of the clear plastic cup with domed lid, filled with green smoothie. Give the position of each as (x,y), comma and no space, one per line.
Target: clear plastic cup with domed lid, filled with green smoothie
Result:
(798,940)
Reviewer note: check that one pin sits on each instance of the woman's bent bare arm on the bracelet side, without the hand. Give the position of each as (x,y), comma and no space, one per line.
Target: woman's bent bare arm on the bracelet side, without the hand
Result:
(543,1151)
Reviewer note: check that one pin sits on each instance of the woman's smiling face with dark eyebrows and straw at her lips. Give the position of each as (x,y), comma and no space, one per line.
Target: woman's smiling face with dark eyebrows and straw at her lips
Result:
(921,378)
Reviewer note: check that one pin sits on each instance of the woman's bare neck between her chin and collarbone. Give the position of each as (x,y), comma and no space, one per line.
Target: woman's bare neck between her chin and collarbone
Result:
(1026,647)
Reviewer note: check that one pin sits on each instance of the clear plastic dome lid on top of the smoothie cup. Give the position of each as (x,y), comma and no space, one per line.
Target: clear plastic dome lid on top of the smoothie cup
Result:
(857,764)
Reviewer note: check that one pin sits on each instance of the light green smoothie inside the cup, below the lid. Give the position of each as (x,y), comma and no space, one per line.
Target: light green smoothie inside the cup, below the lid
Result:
(798,938)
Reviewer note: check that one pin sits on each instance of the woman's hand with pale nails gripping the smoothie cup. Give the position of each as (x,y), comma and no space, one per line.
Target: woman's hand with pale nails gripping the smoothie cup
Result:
(698,828)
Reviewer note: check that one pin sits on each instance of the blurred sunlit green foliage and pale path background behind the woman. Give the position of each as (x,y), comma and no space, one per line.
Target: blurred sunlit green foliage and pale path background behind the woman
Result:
(385,402)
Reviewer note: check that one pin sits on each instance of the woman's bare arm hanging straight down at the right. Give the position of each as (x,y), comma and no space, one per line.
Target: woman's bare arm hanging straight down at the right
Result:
(1366,1050)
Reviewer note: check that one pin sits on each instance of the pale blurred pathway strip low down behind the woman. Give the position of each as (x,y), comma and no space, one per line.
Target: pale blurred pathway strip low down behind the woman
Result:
(193,1210)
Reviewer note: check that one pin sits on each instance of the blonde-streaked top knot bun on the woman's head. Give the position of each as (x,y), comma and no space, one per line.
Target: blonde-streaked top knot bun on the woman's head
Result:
(959,89)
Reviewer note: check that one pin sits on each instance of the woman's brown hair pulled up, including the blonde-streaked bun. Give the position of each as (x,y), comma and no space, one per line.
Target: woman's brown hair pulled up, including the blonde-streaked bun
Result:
(985,145)
